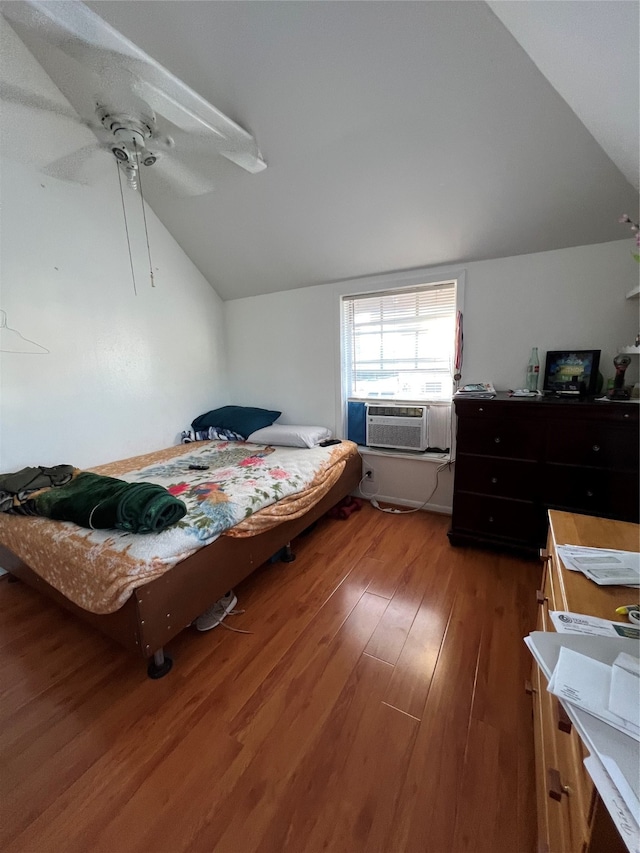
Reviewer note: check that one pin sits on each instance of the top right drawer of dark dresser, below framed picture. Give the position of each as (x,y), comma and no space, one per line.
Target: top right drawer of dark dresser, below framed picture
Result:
(596,444)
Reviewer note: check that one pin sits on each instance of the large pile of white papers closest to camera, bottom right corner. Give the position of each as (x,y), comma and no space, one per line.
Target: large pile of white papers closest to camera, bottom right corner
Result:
(598,681)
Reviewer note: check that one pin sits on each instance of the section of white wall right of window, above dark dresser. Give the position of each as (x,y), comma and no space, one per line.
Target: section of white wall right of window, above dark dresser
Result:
(552,300)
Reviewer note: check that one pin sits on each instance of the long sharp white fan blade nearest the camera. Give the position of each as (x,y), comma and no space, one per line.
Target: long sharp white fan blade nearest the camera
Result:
(82,35)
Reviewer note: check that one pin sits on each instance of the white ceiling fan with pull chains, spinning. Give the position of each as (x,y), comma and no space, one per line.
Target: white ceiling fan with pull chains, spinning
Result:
(139,111)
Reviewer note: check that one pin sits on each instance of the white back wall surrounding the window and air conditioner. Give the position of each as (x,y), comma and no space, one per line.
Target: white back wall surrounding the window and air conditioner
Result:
(284,347)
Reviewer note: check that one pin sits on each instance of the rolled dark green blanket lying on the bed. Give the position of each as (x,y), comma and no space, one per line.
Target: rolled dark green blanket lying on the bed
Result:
(99,502)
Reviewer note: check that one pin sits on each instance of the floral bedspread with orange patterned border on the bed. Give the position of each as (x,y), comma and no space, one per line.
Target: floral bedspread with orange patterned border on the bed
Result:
(98,569)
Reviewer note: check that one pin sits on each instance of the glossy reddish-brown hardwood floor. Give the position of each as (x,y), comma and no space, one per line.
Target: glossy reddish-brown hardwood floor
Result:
(377,706)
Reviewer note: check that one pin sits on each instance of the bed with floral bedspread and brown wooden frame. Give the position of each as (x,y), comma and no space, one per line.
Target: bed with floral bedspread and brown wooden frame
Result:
(142,590)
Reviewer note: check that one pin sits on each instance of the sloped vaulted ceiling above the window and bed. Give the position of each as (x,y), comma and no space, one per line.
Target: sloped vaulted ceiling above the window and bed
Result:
(399,134)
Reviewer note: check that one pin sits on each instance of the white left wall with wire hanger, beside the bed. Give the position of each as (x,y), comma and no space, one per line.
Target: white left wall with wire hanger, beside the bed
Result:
(124,373)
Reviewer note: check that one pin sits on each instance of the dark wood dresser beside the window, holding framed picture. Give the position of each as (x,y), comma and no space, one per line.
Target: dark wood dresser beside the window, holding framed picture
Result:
(517,457)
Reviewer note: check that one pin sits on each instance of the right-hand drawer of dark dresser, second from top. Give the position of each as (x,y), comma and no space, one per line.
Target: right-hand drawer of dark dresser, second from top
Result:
(591,490)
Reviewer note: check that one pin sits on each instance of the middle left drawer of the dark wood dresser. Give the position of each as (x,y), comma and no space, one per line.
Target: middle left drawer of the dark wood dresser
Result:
(504,478)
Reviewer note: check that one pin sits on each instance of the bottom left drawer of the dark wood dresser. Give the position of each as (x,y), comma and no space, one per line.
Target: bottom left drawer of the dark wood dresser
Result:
(501,518)
